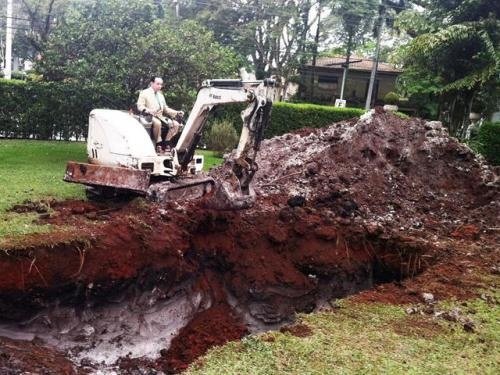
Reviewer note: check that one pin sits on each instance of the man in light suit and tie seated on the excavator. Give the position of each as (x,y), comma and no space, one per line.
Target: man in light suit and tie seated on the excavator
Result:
(152,102)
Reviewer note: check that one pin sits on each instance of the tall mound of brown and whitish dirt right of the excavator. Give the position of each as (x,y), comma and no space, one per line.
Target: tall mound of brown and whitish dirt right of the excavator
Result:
(382,172)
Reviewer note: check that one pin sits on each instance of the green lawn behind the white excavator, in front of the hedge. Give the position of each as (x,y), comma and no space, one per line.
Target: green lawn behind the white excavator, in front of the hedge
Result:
(33,170)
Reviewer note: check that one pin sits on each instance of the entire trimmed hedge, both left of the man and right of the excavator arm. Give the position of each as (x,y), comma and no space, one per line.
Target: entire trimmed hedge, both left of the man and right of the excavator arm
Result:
(59,110)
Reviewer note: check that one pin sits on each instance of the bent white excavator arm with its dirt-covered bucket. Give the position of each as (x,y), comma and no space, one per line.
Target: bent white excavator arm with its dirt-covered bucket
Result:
(233,190)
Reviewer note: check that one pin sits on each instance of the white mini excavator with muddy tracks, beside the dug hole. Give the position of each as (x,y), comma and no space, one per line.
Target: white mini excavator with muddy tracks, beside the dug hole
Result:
(122,157)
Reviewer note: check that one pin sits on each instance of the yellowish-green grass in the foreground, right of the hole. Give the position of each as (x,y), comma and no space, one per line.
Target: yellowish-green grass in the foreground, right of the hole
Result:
(367,339)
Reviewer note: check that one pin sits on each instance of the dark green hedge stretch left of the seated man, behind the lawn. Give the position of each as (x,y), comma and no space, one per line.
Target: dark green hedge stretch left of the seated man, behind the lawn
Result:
(52,110)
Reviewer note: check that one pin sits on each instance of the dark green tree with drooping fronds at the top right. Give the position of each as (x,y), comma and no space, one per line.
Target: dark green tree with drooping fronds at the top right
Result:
(454,57)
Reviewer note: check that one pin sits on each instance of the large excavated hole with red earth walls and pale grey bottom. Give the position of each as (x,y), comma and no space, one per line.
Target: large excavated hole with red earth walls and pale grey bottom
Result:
(226,284)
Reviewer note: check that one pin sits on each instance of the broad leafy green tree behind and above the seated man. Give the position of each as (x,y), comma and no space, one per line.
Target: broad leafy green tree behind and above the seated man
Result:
(125,43)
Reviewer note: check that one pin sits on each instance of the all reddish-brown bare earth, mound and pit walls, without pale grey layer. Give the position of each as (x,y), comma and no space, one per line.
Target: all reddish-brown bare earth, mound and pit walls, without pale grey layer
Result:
(386,207)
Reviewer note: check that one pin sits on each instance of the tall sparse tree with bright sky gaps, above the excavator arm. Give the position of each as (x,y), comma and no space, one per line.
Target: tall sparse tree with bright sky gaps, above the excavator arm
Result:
(273,35)
